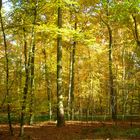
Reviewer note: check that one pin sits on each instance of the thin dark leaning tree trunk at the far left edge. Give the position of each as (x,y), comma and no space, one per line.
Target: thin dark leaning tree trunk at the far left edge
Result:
(7,72)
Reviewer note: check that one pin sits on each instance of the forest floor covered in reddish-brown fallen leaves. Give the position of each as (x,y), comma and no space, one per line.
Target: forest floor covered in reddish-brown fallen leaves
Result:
(75,130)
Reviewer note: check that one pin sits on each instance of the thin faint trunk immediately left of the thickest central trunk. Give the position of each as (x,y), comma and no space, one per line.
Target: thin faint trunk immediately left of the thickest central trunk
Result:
(48,89)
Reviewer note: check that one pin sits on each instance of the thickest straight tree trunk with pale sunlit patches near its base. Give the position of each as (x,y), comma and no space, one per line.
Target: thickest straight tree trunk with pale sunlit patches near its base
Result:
(60,108)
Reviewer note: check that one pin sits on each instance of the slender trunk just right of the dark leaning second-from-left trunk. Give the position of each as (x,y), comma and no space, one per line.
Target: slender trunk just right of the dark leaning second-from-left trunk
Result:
(32,64)
